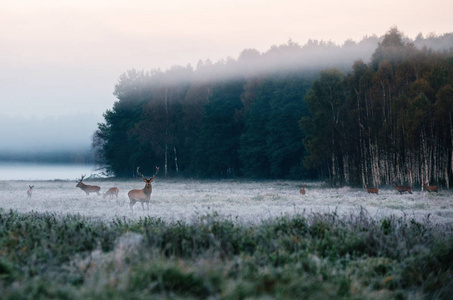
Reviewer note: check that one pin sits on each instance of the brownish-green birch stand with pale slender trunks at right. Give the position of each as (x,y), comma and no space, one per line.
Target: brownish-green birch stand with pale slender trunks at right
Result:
(389,120)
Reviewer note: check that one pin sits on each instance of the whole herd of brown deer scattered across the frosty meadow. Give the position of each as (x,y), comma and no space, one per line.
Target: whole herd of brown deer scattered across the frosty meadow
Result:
(144,195)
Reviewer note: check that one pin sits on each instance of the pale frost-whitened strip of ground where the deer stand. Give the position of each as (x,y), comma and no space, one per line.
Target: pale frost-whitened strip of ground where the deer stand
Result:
(239,201)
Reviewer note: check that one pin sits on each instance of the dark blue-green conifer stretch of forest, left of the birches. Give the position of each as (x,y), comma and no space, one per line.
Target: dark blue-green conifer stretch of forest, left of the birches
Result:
(211,128)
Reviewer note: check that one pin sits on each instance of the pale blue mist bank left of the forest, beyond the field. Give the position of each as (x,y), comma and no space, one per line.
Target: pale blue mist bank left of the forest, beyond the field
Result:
(59,139)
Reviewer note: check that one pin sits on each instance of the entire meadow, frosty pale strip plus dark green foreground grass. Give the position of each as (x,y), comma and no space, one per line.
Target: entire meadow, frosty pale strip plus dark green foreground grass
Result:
(224,240)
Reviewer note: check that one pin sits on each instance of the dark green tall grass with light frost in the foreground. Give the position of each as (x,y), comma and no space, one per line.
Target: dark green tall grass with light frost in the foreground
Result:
(311,256)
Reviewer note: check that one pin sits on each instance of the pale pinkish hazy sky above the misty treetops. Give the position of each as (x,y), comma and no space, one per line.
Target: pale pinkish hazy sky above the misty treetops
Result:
(60,57)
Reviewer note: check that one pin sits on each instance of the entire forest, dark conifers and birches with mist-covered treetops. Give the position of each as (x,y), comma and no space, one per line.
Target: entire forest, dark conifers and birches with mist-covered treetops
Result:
(372,112)
